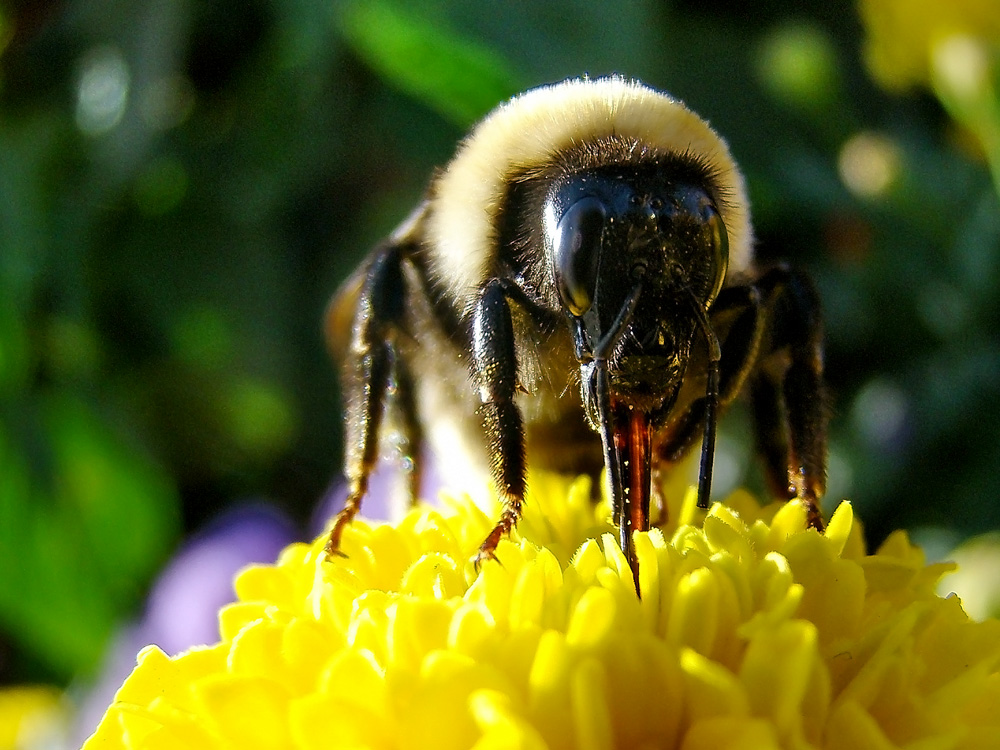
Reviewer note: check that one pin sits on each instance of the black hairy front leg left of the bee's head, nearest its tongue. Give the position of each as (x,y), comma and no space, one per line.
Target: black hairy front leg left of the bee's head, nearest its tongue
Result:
(495,370)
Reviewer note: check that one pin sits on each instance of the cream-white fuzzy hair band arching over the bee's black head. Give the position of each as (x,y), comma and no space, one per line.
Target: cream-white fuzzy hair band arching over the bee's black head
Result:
(531,129)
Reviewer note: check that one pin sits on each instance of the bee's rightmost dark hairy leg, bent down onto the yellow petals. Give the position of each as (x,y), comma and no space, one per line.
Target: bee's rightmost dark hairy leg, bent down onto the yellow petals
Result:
(789,393)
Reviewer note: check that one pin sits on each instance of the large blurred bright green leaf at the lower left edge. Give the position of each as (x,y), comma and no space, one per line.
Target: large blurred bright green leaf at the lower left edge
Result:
(84,522)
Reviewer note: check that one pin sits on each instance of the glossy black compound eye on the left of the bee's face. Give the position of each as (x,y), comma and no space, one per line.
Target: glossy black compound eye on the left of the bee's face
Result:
(576,251)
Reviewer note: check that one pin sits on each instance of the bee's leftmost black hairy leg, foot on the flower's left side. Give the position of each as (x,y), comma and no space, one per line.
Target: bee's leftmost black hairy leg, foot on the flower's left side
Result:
(367,372)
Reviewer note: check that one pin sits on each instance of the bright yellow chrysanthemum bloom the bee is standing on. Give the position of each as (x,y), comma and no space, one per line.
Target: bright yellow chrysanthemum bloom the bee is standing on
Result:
(751,632)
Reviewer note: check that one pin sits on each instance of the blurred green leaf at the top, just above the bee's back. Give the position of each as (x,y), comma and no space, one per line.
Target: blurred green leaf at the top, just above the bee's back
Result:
(460,79)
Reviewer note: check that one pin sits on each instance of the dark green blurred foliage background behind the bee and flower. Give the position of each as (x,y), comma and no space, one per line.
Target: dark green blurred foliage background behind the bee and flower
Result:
(183,184)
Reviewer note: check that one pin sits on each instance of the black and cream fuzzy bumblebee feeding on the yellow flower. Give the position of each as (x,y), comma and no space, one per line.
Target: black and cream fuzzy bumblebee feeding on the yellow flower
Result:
(577,289)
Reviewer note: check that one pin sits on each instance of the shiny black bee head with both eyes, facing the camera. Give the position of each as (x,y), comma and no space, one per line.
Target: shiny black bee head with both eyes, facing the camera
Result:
(649,235)
